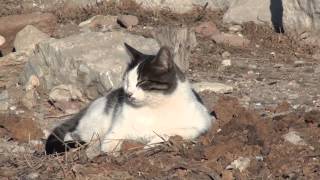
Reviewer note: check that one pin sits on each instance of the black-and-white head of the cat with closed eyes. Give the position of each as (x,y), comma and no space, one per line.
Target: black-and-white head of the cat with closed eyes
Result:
(149,78)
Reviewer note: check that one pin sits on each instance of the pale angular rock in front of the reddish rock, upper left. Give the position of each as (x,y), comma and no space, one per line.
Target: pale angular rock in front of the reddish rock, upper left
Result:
(28,37)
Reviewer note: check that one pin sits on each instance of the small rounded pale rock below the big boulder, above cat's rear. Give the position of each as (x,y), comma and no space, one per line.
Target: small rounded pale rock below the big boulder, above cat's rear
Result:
(65,93)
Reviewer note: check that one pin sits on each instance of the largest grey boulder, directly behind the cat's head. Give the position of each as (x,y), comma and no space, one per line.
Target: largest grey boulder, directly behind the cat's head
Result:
(93,62)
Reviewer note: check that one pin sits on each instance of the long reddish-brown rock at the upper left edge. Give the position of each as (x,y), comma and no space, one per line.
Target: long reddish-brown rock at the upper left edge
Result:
(10,25)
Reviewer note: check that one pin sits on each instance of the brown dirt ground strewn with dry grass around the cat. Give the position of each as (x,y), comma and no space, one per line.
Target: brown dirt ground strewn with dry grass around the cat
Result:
(276,92)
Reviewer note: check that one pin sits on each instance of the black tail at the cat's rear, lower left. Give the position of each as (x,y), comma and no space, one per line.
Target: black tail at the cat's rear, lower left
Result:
(55,142)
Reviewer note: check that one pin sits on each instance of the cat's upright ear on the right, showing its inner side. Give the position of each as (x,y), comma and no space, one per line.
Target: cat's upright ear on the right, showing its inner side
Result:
(163,59)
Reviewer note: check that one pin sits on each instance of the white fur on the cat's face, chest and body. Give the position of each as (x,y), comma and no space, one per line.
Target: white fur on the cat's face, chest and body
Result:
(163,115)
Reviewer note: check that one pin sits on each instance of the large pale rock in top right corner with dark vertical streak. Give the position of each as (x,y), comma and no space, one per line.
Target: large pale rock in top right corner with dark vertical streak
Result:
(296,15)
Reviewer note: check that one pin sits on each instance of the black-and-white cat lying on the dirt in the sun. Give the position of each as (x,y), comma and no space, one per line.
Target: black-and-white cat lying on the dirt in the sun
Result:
(154,102)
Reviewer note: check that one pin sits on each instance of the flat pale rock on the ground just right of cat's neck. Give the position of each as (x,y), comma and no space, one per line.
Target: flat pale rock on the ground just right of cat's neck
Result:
(212,86)
